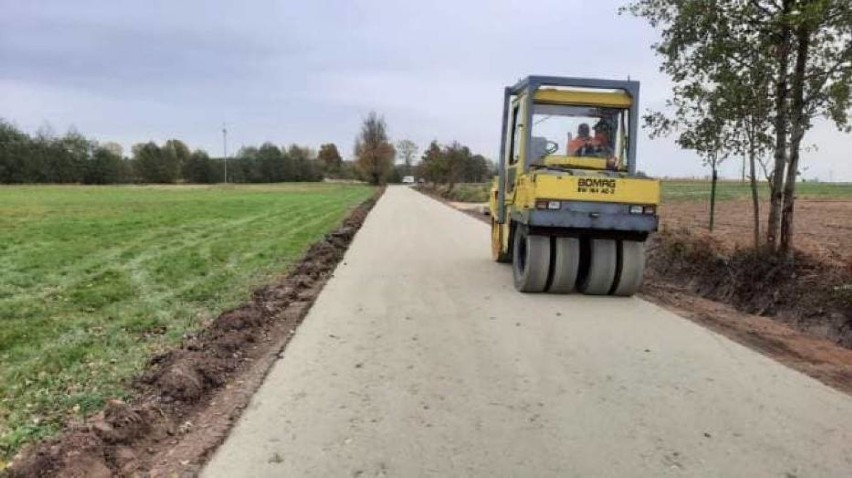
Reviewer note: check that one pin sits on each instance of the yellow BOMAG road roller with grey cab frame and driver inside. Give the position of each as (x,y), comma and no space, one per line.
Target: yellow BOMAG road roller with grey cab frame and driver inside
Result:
(569,209)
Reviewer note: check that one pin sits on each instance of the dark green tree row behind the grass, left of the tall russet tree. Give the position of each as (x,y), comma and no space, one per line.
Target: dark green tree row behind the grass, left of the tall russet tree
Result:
(74,158)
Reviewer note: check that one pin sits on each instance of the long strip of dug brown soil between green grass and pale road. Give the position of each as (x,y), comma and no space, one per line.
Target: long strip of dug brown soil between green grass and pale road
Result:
(188,398)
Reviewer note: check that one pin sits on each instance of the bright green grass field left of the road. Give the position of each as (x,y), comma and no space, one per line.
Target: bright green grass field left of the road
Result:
(95,280)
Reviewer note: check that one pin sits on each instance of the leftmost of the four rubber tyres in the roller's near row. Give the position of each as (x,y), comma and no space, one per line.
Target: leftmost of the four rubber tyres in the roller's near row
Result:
(531,261)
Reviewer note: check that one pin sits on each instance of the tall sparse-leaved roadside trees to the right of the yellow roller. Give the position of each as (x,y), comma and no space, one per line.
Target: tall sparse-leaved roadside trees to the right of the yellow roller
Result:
(750,78)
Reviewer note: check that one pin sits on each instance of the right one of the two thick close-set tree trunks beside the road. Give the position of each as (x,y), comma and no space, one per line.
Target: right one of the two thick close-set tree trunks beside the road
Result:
(798,119)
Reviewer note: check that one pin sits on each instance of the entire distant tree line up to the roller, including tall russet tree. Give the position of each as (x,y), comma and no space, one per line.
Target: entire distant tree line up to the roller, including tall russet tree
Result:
(75,159)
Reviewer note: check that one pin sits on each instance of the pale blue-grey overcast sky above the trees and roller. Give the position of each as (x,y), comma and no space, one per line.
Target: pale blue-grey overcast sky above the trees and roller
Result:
(307,72)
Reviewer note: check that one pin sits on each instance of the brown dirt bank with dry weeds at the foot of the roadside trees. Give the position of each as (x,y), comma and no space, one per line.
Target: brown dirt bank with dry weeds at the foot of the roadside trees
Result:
(809,294)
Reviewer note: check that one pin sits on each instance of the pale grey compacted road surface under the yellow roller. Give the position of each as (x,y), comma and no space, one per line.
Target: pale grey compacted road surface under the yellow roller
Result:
(420,359)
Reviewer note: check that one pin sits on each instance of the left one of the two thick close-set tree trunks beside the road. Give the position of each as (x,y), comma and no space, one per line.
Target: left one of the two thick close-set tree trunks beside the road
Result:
(777,181)
